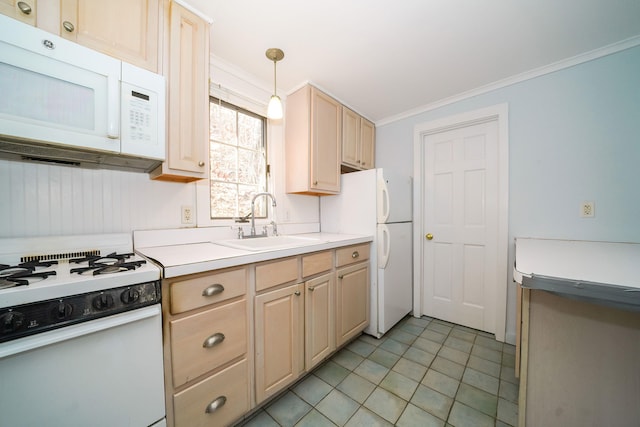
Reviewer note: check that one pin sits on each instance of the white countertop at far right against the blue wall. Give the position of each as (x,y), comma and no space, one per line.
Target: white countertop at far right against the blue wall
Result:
(598,262)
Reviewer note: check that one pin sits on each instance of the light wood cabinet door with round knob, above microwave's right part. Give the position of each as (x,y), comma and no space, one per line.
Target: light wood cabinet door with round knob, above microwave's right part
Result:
(125,29)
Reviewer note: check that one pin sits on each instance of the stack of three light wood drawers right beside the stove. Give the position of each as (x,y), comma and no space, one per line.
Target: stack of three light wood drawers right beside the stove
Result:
(206,348)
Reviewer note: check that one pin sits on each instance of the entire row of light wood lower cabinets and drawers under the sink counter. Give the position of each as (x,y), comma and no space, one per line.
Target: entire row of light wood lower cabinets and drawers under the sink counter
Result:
(235,337)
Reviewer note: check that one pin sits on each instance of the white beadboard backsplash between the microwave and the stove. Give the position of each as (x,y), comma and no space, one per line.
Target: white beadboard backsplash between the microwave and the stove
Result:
(42,199)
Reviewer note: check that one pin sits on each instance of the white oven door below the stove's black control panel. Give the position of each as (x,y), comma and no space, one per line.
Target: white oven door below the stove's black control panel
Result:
(107,372)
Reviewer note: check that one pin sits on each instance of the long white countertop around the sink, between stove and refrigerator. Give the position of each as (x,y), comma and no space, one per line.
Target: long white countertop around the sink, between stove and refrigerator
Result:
(197,257)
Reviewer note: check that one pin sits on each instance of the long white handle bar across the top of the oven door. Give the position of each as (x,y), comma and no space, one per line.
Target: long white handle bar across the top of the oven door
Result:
(14,347)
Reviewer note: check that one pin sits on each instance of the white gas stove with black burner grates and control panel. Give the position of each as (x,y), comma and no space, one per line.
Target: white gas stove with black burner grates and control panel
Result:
(78,307)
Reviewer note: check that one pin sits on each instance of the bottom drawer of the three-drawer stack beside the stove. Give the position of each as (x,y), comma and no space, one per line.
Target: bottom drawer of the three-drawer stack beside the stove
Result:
(230,386)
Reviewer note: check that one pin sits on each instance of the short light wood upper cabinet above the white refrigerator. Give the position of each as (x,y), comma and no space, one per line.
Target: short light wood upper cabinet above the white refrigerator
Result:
(358,139)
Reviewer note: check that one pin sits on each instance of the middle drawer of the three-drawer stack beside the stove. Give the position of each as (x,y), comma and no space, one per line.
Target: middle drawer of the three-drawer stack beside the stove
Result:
(201,342)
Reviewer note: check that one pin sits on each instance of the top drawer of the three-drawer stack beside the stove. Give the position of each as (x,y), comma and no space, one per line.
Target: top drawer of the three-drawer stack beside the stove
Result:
(204,290)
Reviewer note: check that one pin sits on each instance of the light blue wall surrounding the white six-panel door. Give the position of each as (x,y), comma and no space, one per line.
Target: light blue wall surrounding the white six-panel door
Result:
(574,135)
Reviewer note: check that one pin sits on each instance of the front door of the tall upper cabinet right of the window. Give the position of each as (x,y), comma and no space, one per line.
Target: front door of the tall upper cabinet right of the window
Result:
(326,119)
